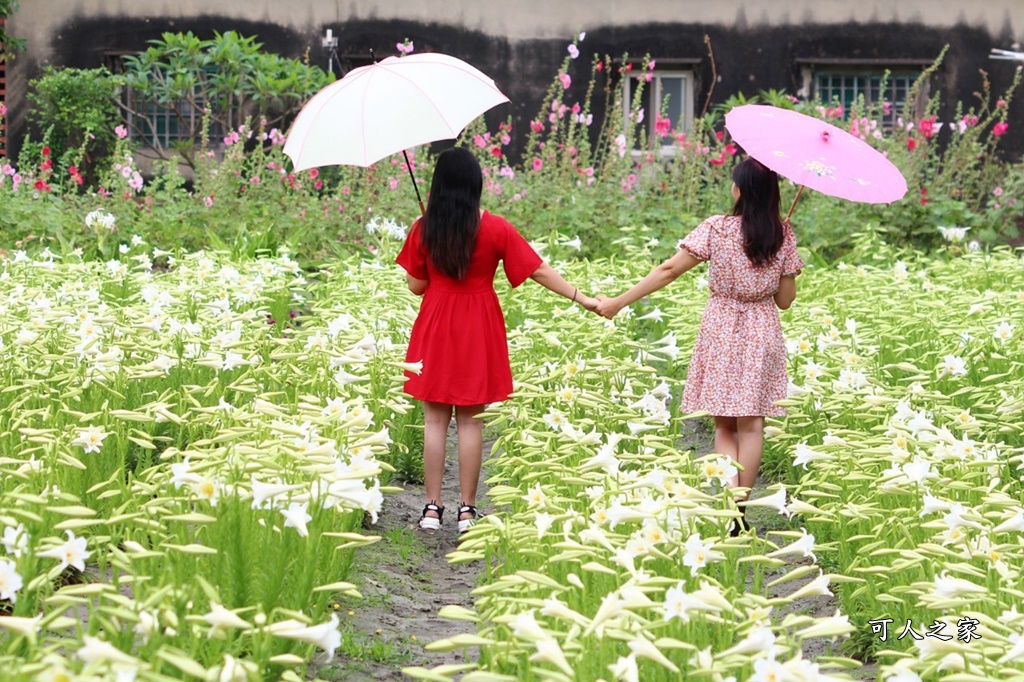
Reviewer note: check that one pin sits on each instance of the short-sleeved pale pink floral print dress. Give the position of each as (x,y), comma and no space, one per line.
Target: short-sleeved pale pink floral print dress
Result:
(739,363)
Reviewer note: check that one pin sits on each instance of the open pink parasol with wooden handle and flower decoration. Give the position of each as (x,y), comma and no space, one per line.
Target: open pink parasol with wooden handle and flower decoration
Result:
(816,154)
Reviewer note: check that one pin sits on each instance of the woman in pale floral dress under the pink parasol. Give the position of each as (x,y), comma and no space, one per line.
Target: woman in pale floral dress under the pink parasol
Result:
(738,371)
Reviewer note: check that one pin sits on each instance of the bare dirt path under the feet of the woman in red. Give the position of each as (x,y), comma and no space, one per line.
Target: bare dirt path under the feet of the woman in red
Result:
(405,580)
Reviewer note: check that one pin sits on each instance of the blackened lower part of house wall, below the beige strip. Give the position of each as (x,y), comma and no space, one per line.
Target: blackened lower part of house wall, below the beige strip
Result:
(748,59)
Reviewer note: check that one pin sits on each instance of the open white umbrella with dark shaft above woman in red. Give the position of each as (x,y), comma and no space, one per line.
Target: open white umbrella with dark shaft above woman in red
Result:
(389,107)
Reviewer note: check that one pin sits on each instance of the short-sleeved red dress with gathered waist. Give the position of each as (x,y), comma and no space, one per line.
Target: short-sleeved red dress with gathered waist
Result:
(460,332)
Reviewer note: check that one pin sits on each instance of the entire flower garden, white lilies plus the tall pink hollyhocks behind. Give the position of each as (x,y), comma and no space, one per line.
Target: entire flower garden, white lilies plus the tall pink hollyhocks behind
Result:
(202,414)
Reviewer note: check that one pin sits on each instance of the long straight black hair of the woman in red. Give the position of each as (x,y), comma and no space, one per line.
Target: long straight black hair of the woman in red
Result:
(453,217)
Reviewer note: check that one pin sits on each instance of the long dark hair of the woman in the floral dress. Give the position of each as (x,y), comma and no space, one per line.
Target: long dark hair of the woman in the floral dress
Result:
(758,205)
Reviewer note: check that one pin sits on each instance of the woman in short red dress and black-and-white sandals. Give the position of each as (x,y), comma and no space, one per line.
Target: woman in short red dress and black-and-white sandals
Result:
(451,255)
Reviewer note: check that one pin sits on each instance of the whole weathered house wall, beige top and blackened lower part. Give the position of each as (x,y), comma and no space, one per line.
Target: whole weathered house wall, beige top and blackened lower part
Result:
(762,46)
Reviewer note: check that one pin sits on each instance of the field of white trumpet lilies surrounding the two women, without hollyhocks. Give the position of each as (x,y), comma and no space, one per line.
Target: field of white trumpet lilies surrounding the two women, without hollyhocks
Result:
(191,451)
